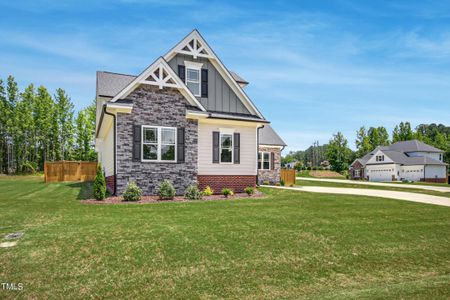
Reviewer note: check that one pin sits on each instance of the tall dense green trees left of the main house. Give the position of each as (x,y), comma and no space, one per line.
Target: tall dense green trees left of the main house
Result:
(36,126)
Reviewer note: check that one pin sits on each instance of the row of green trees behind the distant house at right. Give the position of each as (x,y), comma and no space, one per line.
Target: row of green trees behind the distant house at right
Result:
(340,156)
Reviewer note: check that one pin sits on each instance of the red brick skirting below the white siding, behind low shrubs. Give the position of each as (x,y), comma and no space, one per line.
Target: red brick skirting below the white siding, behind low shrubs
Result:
(235,182)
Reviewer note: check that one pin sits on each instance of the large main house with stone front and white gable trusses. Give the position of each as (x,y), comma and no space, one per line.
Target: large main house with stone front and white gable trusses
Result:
(185,118)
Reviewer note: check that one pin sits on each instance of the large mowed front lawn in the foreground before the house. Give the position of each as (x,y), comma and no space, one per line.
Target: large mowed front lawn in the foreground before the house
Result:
(287,245)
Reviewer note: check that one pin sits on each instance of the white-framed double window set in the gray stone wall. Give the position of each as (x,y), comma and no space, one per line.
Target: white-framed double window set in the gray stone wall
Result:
(159,143)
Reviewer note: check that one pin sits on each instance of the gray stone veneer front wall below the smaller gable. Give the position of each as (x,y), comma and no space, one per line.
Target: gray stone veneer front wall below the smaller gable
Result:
(159,107)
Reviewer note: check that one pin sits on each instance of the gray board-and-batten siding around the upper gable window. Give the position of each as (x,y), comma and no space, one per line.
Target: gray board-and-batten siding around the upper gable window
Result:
(220,96)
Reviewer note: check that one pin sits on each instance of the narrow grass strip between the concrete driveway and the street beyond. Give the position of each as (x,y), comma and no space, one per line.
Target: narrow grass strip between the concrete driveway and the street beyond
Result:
(368,186)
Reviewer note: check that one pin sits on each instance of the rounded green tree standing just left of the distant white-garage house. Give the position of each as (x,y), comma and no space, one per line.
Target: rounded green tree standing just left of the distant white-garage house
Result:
(338,153)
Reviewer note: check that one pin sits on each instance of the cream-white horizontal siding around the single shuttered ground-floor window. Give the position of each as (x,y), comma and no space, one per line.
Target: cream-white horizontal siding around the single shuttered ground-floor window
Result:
(248,157)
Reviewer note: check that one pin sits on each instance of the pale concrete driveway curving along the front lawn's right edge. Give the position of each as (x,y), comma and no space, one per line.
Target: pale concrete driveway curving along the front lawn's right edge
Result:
(414,197)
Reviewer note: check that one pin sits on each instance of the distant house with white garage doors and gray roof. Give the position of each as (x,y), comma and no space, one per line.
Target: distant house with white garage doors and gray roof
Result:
(409,160)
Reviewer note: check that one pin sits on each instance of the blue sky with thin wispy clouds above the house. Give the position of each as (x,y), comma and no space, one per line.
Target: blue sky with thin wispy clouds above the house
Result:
(314,67)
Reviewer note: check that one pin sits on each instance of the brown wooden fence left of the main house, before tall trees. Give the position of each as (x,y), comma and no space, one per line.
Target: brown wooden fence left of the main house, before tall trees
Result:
(69,171)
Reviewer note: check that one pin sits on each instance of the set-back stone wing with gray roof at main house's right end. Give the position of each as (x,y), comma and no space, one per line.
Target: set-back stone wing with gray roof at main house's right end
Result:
(269,155)
